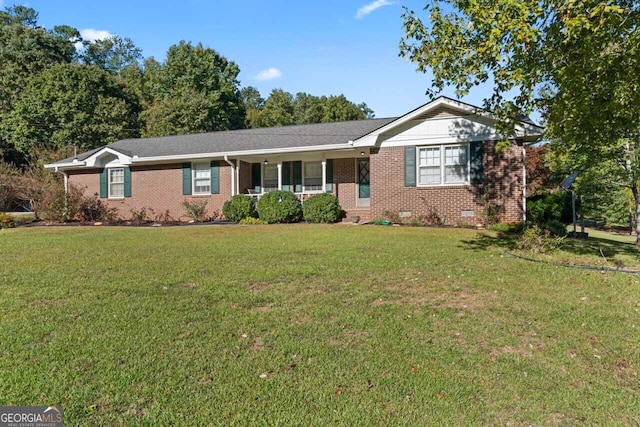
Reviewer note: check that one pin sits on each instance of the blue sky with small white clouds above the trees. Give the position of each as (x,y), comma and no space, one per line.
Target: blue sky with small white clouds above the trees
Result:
(329,47)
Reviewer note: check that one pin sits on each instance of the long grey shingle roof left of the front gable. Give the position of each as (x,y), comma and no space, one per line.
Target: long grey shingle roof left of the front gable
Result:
(246,139)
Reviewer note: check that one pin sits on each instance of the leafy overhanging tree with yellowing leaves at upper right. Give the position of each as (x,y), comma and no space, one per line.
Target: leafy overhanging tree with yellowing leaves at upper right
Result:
(577,62)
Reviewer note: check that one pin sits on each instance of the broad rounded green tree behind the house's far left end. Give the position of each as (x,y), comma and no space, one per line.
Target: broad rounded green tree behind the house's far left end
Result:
(70,104)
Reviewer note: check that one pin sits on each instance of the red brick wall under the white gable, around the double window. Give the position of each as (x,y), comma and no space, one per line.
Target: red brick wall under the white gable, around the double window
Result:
(502,175)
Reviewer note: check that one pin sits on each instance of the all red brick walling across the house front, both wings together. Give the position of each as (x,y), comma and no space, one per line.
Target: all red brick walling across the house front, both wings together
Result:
(160,188)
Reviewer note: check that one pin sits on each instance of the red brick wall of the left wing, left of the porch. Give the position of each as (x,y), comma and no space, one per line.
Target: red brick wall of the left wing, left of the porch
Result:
(158,188)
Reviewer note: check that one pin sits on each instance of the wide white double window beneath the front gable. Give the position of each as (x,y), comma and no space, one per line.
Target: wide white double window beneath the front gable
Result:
(443,164)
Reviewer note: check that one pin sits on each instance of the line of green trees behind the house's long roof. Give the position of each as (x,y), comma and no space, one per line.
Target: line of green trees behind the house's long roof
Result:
(58,90)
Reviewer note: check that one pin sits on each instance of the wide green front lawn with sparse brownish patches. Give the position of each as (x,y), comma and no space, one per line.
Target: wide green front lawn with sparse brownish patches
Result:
(310,325)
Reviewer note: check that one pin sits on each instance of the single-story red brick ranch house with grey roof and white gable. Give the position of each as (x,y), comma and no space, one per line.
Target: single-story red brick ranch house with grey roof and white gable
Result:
(438,160)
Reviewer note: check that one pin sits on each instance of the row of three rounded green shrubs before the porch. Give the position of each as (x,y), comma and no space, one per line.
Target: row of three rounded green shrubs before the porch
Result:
(283,207)
